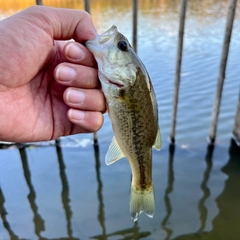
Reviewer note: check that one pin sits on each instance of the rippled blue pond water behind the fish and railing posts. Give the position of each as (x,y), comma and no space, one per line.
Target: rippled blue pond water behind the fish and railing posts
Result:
(69,192)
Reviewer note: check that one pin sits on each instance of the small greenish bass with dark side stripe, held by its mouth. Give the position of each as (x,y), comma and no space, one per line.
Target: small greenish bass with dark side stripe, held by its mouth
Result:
(133,110)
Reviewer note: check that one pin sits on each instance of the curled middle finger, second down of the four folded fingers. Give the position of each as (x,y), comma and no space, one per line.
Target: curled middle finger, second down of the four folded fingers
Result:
(74,75)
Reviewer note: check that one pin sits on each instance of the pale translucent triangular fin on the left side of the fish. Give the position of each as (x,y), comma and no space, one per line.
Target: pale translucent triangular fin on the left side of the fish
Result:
(114,153)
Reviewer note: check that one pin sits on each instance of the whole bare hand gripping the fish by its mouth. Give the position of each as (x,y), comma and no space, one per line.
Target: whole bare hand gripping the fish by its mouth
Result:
(48,84)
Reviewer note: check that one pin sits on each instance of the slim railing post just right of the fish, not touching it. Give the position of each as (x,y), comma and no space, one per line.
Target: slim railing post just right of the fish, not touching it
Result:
(178,69)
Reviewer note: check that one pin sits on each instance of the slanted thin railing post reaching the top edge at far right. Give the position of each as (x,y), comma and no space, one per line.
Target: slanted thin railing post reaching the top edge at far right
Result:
(222,70)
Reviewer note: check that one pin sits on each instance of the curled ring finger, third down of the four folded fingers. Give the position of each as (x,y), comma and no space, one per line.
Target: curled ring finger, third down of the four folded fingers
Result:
(85,99)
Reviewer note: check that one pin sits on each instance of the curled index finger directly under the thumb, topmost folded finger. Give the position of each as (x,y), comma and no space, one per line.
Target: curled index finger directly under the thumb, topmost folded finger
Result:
(76,53)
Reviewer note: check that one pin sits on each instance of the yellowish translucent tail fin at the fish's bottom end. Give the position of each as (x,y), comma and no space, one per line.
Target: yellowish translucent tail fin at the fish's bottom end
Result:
(142,201)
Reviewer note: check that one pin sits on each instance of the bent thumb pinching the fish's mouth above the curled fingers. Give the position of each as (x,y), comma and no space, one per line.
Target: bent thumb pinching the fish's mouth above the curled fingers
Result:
(63,24)
